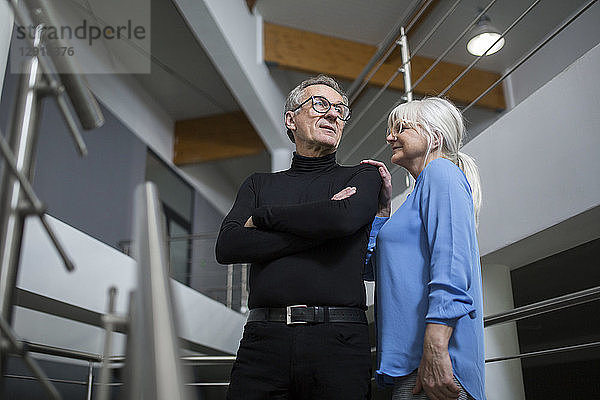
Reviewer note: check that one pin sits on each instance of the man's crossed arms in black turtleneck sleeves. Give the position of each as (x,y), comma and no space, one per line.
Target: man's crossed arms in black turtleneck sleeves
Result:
(285,230)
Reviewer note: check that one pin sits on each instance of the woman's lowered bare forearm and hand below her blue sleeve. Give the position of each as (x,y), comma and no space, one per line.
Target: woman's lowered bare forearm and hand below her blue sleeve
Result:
(435,374)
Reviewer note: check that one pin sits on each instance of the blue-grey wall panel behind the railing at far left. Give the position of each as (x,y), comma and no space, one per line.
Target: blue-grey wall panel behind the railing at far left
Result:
(95,193)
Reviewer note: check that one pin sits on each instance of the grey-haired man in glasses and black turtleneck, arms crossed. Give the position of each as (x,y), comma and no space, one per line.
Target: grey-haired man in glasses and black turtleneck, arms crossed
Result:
(306,336)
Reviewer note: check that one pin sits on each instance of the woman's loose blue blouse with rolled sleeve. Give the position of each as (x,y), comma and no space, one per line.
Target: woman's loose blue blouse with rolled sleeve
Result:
(425,261)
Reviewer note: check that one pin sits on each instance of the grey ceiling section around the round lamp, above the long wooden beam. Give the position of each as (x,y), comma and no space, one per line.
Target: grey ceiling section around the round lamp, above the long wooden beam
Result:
(377,18)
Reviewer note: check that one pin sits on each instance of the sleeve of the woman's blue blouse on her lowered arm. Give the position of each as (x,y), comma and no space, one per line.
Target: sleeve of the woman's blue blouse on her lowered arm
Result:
(447,214)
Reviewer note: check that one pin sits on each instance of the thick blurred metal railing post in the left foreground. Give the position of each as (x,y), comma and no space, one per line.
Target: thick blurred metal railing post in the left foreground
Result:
(153,367)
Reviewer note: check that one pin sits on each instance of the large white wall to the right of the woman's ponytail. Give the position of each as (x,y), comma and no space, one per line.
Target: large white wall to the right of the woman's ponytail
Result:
(539,163)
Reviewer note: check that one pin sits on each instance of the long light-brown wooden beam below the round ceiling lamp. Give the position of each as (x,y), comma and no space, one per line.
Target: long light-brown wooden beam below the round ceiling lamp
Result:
(310,52)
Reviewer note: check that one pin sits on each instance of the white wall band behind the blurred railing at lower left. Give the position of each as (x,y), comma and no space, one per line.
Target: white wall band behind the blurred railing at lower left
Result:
(98,267)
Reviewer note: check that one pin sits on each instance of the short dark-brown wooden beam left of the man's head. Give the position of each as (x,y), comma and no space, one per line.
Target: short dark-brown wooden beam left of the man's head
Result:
(215,137)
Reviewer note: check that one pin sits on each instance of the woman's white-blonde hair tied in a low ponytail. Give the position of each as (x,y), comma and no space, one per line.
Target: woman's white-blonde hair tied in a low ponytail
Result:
(440,119)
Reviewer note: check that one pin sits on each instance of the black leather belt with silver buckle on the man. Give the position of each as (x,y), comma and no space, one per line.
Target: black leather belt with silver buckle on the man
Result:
(301,314)
